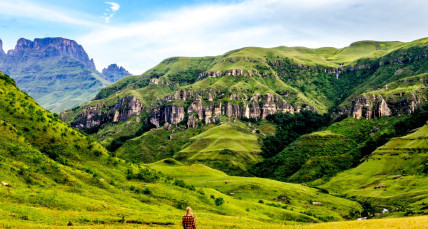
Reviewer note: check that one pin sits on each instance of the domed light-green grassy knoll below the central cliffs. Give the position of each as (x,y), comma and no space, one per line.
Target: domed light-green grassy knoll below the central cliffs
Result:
(226,147)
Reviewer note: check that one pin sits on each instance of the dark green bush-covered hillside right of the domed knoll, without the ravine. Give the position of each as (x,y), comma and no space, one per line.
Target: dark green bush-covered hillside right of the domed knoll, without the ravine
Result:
(319,155)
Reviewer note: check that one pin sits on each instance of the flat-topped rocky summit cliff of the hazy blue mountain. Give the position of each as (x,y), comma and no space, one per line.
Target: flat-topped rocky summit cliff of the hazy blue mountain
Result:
(42,48)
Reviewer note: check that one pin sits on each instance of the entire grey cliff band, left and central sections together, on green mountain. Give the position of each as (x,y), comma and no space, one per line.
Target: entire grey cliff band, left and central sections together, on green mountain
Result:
(205,107)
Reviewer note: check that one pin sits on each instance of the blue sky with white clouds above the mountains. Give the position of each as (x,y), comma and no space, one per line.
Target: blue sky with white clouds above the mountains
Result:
(139,34)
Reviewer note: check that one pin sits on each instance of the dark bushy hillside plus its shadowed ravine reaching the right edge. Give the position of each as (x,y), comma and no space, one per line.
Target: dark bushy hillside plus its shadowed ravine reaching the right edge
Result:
(340,146)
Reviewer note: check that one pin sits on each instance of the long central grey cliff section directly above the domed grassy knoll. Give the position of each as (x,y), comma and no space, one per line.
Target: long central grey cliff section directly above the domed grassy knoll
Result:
(210,106)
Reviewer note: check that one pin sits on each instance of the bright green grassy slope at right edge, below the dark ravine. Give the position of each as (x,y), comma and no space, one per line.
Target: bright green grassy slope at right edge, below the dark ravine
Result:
(406,155)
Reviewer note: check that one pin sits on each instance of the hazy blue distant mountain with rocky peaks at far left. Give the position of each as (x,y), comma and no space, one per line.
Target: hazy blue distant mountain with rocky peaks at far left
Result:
(57,72)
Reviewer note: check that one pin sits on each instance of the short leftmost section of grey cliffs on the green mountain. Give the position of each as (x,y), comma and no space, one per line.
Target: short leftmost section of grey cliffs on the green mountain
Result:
(93,116)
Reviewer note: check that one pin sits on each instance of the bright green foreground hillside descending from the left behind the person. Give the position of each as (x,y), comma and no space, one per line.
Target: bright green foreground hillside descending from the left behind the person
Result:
(59,175)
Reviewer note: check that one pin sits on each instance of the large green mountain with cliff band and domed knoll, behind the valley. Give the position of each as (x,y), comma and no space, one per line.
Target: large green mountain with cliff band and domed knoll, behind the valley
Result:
(368,79)
